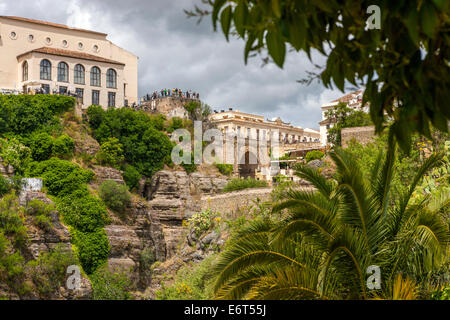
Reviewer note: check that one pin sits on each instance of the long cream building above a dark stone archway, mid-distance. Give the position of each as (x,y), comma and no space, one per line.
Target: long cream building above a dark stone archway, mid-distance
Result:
(260,136)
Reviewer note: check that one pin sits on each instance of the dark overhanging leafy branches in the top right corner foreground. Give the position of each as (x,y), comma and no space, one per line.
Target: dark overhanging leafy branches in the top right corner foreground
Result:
(403,65)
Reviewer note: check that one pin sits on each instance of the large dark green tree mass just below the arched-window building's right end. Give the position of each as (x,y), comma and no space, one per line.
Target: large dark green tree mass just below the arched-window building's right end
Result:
(144,145)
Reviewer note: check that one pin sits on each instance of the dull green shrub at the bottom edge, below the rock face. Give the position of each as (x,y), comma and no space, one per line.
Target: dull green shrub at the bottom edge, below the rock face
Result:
(107,285)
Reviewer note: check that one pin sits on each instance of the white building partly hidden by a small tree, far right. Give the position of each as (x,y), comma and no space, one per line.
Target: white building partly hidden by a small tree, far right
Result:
(353,100)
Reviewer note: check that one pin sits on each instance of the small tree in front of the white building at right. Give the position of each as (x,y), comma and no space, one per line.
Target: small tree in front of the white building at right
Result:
(344,117)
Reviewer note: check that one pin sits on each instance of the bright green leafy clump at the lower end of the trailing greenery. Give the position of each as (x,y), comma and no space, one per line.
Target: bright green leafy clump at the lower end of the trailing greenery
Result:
(92,249)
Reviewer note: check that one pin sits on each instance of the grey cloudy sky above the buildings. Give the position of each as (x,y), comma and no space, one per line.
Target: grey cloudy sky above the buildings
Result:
(176,52)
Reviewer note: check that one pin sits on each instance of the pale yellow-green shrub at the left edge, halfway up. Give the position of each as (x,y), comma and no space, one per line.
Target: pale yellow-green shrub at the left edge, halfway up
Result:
(15,154)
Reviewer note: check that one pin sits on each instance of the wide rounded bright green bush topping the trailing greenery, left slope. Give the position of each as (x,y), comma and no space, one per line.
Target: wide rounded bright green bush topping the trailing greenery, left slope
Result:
(60,177)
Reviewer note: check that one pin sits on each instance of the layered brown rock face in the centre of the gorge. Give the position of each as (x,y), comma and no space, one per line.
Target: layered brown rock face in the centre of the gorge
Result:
(153,230)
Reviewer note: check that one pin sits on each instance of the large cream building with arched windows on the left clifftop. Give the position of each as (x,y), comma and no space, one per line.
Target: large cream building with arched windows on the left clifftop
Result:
(57,59)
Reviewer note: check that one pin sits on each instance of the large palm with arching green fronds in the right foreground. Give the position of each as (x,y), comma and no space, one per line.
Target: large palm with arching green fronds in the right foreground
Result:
(325,241)
